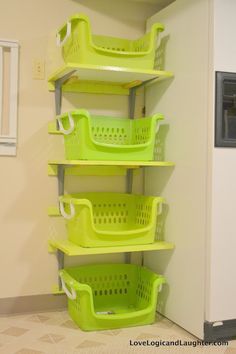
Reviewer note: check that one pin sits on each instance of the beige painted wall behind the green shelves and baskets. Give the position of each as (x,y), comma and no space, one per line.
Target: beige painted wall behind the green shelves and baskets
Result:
(26,191)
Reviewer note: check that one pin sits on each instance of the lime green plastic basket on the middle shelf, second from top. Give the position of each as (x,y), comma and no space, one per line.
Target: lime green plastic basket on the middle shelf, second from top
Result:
(105,138)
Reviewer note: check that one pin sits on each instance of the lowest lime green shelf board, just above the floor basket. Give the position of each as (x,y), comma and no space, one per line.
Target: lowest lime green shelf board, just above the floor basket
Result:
(70,249)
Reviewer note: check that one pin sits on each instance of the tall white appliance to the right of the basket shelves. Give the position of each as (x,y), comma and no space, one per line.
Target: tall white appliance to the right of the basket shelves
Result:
(201,190)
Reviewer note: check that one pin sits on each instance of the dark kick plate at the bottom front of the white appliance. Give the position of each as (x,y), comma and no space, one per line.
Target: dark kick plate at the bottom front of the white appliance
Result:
(222,330)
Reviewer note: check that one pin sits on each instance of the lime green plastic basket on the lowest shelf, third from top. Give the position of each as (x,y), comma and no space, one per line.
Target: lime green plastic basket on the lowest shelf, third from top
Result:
(110,219)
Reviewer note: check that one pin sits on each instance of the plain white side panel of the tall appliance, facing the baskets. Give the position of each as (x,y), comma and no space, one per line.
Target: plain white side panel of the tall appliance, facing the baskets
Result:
(184,104)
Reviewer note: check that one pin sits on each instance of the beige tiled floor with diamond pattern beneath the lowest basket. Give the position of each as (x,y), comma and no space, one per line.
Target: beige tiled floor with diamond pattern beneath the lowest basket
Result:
(55,333)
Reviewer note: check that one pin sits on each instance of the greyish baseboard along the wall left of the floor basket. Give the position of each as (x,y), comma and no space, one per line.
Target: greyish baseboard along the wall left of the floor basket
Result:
(33,303)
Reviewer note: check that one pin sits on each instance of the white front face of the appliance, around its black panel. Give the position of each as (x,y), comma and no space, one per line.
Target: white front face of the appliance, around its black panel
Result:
(222,289)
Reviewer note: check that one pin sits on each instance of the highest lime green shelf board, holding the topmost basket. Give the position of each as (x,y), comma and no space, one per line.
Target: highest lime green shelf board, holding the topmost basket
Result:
(103,79)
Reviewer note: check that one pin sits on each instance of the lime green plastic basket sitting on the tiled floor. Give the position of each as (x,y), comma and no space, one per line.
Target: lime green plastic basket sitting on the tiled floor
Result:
(107,296)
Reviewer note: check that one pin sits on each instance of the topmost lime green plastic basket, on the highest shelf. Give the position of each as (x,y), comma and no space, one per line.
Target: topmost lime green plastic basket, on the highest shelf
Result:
(81,47)
